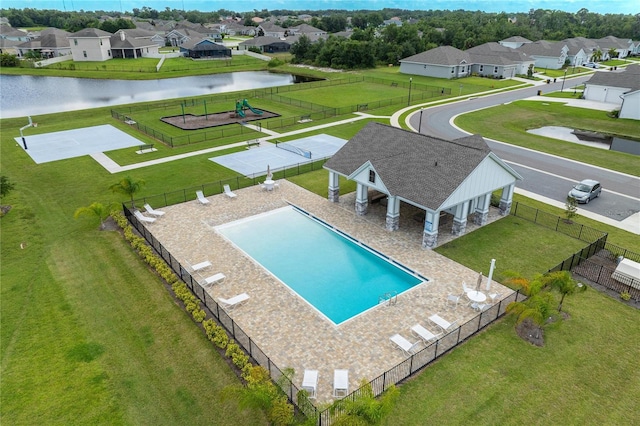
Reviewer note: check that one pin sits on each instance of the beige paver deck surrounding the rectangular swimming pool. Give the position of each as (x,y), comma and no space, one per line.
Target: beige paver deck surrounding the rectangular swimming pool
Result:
(289,330)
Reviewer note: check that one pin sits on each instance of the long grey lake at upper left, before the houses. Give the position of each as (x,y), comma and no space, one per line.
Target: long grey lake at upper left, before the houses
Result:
(23,95)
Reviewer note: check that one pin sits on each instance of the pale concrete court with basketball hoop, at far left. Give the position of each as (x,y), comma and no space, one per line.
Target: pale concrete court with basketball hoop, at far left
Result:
(54,146)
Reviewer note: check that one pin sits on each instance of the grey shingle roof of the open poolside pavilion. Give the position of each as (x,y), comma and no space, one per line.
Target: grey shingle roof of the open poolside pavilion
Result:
(416,167)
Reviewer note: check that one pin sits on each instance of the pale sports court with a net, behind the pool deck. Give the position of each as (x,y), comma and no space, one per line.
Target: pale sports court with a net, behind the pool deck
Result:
(254,162)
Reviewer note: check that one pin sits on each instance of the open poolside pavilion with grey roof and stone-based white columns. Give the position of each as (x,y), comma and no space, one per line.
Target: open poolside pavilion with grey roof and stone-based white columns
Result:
(441,177)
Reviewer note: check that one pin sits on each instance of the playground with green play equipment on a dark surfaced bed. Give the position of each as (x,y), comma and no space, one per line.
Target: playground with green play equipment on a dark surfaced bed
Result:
(244,112)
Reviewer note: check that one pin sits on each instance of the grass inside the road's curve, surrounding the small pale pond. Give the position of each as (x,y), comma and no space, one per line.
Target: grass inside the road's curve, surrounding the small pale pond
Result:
(523,115)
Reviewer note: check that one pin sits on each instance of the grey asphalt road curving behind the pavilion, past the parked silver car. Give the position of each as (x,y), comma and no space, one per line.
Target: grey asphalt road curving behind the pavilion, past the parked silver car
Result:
(544,175)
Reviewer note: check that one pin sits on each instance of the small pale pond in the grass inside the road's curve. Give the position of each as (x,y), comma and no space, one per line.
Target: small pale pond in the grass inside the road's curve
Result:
(593,139)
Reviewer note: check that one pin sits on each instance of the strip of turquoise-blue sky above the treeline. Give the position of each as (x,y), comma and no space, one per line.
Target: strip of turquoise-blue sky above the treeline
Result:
(509,6)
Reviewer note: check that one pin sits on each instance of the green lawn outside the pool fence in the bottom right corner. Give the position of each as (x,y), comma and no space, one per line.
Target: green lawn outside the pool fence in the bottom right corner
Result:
(583,375)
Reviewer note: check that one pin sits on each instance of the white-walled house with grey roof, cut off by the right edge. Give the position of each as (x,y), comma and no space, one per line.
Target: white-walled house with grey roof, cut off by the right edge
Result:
(621,88)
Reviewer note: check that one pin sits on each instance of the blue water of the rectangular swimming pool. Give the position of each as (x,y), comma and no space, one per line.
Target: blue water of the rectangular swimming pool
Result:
(336,275)
